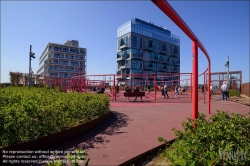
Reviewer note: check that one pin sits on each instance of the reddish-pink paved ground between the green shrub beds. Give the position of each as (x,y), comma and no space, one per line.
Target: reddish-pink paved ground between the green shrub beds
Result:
(134,126)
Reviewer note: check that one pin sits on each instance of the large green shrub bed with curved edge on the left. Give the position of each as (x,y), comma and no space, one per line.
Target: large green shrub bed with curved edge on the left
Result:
(30,114)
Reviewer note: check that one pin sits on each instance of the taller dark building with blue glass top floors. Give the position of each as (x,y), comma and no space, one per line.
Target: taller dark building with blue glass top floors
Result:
(144,48)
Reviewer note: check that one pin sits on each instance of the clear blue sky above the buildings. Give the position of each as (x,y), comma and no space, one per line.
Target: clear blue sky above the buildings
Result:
(222,27)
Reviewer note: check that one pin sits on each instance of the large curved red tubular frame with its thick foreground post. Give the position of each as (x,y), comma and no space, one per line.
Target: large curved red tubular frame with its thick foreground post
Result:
(173,15)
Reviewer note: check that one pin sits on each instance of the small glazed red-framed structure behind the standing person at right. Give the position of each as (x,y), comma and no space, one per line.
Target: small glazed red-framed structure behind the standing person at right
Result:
(217,79)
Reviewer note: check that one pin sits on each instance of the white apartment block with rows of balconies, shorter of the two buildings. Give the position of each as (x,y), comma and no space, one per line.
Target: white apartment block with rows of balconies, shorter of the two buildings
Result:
(63,60)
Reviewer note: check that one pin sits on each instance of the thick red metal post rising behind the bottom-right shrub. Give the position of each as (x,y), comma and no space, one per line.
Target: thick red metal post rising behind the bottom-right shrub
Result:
(195,81)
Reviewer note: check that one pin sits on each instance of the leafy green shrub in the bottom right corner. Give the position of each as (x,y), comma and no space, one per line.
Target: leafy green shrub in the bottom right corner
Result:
(211,140)
